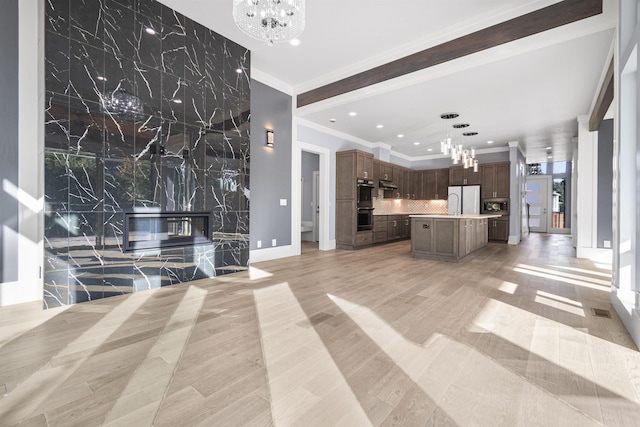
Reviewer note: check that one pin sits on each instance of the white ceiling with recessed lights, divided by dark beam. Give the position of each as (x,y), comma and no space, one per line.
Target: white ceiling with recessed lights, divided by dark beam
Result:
(530,91)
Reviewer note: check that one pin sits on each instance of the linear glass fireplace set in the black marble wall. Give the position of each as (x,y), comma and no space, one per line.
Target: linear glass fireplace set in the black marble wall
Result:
(155,230)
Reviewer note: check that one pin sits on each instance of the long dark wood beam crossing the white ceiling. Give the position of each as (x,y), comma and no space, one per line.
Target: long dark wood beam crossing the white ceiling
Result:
(544,19)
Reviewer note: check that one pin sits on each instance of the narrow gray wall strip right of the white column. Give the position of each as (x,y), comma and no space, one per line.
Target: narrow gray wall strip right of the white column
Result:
(605,177)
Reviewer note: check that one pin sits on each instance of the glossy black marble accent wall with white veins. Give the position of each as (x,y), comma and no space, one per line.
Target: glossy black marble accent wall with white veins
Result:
(146,110)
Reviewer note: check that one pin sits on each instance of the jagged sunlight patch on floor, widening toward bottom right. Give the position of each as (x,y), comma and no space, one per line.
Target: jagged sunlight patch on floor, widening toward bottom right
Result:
(468,386)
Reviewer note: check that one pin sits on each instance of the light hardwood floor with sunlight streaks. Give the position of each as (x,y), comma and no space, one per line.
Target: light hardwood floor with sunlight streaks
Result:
(339,338)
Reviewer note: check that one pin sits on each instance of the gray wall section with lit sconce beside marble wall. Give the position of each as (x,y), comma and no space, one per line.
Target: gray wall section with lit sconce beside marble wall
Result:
(270,167)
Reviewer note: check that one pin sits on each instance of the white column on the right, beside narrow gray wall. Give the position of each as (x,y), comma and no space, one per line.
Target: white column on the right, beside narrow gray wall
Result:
(587,194)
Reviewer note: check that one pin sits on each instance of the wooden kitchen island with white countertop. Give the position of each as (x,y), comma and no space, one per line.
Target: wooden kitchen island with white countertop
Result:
(448,237)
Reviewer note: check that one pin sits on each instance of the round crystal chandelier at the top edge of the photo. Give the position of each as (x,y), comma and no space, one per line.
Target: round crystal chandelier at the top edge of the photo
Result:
(273,21)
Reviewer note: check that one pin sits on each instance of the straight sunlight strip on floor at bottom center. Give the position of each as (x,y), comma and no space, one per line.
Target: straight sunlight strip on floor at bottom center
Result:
(306,386)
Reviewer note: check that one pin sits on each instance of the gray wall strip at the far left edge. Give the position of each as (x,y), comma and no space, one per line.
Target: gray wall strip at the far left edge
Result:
(8,140)
